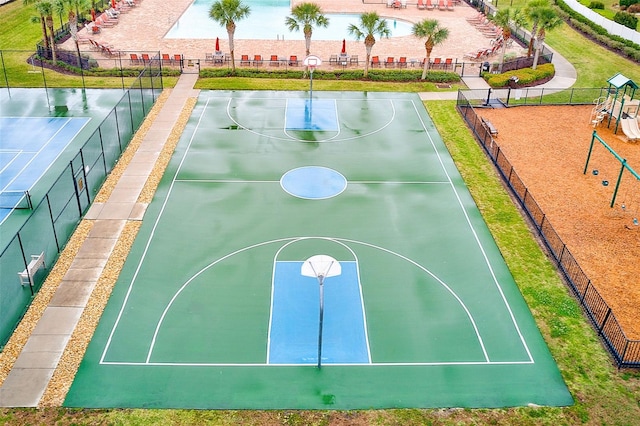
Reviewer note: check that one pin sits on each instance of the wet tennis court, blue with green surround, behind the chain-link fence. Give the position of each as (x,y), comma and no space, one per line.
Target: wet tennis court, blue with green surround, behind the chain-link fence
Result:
(41,130)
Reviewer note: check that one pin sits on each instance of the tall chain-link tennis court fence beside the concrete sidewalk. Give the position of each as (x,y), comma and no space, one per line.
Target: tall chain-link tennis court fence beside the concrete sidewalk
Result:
(55,217)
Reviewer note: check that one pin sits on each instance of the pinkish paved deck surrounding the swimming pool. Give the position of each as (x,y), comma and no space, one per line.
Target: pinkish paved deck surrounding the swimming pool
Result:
(142,29)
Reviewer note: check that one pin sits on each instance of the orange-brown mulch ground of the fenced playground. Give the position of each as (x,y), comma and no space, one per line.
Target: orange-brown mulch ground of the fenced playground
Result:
(548,147)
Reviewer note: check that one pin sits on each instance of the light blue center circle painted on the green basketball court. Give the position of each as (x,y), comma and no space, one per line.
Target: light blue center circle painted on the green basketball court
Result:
(313,182)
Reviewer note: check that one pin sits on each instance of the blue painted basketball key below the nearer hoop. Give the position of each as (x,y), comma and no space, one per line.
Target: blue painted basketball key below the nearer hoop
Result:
(294,318)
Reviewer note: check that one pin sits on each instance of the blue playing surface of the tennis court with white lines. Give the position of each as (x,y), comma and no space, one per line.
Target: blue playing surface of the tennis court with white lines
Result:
(28,147)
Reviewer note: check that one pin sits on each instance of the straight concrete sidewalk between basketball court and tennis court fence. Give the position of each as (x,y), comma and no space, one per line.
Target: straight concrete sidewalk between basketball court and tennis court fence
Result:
(30,375)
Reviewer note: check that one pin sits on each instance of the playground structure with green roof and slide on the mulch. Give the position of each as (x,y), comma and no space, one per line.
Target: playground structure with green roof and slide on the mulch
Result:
(620,106)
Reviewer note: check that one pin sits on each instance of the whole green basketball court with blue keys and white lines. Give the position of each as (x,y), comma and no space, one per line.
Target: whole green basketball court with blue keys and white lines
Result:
(211,309)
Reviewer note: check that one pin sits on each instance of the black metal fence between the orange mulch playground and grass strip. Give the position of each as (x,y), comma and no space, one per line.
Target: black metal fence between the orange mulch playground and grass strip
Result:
(625,352)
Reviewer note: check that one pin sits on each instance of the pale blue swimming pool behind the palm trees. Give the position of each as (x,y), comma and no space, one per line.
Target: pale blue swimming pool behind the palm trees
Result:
(266,22)
